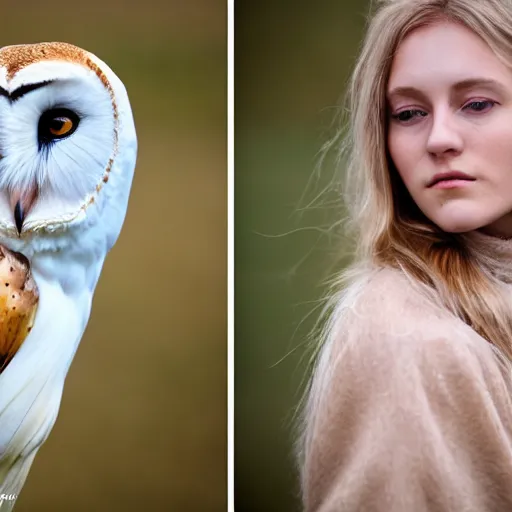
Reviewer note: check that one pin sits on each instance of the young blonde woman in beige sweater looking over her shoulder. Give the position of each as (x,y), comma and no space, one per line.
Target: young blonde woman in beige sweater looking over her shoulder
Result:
(410,403)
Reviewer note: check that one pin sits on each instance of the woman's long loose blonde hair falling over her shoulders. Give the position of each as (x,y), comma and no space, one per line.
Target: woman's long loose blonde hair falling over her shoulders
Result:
(388,228)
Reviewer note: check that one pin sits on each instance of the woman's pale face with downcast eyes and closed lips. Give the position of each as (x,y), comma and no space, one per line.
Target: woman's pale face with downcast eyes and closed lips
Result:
(450,110)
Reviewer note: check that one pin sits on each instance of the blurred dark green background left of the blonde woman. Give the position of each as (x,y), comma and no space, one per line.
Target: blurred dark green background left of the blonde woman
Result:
(292,61)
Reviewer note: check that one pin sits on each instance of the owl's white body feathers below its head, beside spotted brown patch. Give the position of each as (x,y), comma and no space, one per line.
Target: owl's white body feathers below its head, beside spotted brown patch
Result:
(31,386)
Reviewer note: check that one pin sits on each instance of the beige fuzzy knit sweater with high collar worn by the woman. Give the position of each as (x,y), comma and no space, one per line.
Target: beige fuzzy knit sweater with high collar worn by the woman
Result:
(413,411)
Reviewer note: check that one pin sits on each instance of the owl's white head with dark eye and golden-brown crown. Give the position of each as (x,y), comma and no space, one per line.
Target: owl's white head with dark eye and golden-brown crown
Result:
(67,145)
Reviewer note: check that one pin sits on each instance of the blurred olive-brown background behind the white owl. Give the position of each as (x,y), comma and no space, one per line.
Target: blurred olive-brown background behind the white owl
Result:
(142,425)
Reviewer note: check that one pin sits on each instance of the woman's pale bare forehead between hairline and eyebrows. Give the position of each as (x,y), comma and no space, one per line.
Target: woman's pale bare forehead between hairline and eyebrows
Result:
(443,53)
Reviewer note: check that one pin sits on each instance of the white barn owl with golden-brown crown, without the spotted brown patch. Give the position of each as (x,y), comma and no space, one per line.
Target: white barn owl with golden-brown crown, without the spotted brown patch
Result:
(67,155)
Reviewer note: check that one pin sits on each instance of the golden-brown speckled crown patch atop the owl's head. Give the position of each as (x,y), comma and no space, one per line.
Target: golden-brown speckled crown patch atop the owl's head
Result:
(15,58)
